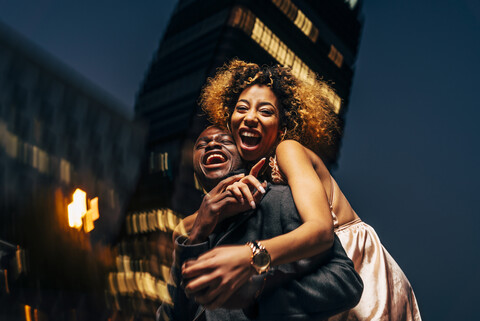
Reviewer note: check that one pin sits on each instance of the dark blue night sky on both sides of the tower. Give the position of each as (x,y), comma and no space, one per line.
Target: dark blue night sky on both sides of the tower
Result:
(409,158)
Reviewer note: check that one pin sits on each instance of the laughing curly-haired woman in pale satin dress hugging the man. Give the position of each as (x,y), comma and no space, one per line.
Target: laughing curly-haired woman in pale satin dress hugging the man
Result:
(272,114)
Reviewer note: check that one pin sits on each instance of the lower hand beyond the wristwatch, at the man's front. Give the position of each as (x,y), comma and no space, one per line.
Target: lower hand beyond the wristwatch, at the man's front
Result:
(214,276)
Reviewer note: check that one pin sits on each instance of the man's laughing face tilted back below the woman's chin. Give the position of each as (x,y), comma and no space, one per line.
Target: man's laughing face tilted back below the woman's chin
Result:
(214,156)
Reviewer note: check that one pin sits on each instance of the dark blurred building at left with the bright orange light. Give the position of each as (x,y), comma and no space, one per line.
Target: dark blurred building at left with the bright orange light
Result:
(59,134)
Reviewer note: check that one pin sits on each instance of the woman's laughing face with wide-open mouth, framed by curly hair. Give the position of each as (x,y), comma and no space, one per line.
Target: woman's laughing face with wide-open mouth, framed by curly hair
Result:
(255,122)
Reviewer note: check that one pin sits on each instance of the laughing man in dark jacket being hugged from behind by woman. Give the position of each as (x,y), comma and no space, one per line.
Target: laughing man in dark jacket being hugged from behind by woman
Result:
(305,290)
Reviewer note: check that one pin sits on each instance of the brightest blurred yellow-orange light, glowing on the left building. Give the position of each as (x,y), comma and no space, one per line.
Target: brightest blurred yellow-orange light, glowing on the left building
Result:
(77,210)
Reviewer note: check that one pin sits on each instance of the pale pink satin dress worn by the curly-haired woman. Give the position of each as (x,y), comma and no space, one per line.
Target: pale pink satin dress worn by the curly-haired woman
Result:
(387,293)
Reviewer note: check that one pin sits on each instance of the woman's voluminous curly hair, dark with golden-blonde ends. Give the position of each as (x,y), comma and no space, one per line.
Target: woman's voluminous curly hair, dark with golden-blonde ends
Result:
(305,111)
